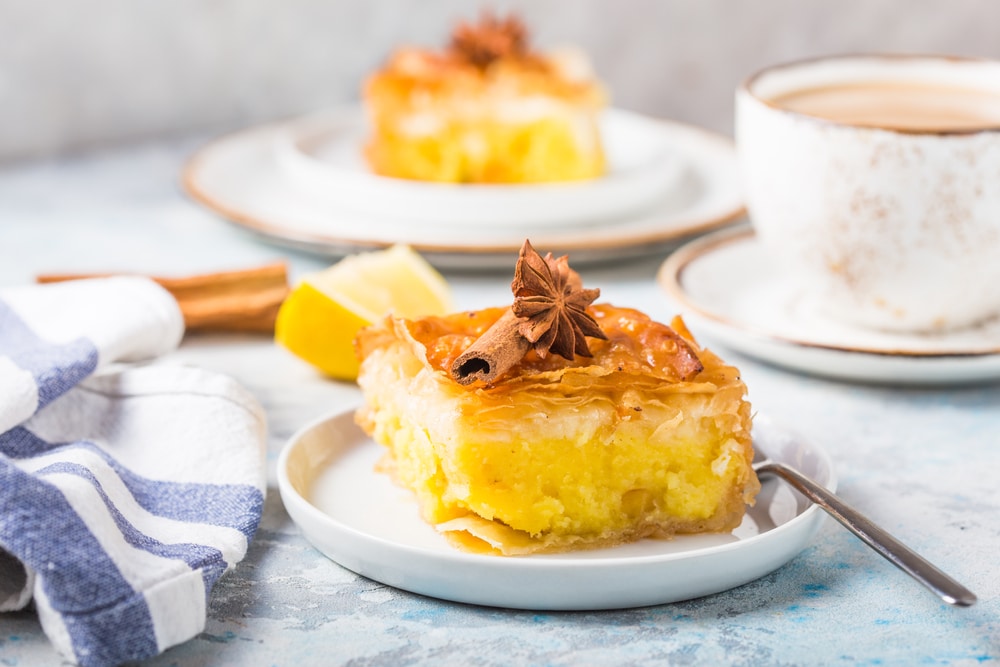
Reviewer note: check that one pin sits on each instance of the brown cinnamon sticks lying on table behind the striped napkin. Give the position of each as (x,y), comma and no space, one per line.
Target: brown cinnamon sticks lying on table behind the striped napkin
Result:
(243,300)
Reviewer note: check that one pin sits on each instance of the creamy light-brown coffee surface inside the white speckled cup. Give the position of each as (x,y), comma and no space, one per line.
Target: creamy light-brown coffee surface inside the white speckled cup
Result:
(898,106)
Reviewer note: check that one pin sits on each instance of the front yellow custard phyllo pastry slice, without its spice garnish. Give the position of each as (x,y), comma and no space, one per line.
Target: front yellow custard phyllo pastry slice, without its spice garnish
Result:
(559,454)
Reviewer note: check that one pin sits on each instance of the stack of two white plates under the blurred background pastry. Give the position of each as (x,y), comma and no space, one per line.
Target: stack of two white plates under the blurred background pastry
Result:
(304,183)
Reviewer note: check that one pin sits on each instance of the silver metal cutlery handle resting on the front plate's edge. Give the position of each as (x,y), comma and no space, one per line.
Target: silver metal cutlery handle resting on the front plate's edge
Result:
(878,539)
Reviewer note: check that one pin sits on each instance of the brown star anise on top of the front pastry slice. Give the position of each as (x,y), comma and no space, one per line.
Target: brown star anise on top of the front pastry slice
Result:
(551,303)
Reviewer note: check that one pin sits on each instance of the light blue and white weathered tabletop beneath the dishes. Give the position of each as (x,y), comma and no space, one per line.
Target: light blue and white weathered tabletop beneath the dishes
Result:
(922,462)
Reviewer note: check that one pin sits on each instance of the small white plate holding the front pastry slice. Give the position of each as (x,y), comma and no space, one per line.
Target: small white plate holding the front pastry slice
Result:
(363,521)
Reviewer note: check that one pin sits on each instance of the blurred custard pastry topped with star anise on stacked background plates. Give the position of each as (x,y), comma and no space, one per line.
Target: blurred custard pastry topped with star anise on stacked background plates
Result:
(486,109)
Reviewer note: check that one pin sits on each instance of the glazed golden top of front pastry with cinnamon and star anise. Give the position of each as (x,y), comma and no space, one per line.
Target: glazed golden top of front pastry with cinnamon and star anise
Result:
(552,330)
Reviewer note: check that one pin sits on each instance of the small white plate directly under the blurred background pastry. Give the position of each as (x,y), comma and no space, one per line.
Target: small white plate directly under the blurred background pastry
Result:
(323,155)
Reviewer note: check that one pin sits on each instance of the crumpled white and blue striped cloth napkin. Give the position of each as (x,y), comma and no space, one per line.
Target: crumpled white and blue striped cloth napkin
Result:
(126,490)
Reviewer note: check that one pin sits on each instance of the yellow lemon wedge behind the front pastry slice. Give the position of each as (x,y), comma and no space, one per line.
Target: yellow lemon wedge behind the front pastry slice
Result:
(324,312)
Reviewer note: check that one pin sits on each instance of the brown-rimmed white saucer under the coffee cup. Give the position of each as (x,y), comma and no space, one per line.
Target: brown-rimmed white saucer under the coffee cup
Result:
(728,289)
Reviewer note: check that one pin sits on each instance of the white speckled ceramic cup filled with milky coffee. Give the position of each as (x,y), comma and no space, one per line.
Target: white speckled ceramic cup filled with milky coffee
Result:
(875,181)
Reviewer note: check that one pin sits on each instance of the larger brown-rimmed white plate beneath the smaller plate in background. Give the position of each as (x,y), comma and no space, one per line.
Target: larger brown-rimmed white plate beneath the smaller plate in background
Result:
(240,178)
